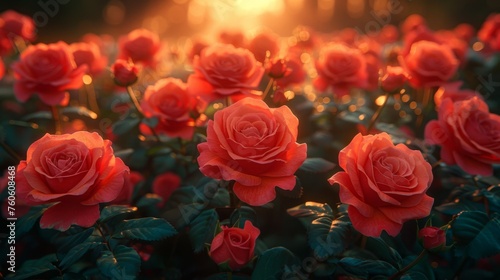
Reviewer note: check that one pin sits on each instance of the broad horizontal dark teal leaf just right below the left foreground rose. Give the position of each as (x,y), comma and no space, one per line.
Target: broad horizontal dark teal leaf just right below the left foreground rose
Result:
(148,229)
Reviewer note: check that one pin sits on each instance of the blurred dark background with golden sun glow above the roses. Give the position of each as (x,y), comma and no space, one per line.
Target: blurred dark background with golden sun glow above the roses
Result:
(70,19)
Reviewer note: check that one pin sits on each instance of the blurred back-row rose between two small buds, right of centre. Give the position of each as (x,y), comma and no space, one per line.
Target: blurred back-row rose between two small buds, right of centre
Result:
(340,67)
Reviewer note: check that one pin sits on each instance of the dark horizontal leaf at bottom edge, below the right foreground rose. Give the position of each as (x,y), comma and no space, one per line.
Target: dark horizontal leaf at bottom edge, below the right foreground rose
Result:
(366,269)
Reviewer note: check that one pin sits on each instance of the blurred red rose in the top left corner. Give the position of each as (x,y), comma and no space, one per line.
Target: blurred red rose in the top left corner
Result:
(14,23)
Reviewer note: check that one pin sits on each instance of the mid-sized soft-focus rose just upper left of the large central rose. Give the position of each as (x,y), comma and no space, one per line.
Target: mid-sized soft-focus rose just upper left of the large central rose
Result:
(169,101)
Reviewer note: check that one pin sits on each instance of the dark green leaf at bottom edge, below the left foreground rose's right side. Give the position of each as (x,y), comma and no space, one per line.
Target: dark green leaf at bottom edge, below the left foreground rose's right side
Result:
(123,263)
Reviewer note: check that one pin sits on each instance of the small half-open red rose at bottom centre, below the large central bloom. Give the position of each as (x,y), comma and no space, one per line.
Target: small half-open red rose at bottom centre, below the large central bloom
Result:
(234,245)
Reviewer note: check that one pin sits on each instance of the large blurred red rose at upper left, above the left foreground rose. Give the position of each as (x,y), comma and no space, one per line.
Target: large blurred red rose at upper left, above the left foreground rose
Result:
(49,71)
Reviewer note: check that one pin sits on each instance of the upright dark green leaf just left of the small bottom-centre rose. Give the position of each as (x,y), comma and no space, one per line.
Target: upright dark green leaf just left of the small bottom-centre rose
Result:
(203,229)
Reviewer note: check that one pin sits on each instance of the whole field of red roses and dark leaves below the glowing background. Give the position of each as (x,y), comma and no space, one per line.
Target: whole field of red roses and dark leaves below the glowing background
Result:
(250,155)
